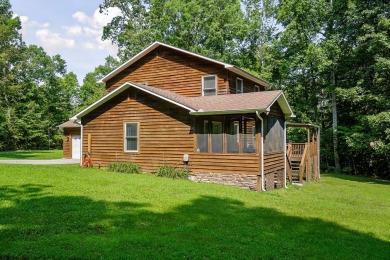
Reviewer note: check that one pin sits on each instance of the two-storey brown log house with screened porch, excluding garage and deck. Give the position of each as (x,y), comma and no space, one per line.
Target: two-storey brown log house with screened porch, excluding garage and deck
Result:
(170,106)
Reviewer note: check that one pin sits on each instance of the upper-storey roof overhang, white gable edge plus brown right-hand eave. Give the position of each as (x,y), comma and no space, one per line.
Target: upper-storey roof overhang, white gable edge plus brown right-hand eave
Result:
(154,45)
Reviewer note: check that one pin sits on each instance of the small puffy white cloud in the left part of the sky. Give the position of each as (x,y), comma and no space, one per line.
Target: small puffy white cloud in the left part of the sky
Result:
(52,41)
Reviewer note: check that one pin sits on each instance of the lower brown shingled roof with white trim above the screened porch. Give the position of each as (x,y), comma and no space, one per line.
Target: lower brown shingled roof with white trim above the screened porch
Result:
(220,104)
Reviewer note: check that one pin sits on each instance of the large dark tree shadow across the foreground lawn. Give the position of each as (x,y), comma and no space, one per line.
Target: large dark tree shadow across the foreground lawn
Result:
(38,225)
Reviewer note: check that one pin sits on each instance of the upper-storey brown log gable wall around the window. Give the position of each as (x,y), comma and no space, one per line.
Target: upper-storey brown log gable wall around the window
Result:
(171,70)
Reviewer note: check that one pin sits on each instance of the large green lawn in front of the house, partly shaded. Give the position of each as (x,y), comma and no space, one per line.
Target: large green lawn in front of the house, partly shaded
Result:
(68,212)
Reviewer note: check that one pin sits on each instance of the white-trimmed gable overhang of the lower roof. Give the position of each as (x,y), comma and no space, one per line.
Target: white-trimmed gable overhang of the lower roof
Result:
(119,90)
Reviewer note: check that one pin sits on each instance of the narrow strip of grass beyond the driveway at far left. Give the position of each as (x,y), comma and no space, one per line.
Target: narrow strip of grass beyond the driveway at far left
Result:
(31,155)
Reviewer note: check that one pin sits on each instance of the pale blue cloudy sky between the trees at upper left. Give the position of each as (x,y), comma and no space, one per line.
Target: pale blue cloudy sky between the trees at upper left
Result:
(71,28)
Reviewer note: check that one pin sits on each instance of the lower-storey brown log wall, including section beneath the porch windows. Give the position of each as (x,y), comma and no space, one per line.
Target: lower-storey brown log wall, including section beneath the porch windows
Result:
(166,132)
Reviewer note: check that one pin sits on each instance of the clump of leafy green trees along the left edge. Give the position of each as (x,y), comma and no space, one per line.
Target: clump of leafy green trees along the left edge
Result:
(36,94)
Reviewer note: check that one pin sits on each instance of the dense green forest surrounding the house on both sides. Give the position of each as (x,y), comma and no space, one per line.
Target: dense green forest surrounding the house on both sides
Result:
(330,57)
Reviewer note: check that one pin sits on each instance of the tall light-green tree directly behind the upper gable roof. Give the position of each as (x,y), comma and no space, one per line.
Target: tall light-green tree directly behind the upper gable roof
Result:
(215,28)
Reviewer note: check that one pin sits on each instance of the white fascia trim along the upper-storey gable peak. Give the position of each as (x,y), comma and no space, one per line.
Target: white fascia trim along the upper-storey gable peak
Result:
(148,50)
